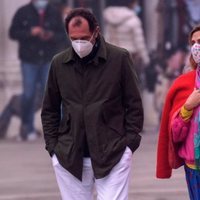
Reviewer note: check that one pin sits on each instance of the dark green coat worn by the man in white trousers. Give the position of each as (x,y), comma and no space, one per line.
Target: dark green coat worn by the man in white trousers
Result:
(100,99)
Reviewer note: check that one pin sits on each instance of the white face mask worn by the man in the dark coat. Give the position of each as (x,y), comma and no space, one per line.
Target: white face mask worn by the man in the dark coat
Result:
(82,47)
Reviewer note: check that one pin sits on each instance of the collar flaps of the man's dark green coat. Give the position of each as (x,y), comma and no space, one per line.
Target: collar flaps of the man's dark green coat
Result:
(101,53)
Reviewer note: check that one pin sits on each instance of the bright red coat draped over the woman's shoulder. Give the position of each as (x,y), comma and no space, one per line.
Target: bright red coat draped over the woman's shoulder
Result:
(167,156)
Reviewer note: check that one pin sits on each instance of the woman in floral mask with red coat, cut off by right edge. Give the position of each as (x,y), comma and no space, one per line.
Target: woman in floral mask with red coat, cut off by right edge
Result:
(179,136)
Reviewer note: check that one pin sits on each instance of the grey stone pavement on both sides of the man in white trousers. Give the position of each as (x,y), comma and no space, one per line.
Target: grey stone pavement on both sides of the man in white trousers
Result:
(26,173)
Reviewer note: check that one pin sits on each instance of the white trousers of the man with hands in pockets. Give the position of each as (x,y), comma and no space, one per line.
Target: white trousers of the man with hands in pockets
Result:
(112,187)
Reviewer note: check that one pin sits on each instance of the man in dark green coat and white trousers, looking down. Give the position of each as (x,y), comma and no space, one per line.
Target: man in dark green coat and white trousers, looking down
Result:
(92,113)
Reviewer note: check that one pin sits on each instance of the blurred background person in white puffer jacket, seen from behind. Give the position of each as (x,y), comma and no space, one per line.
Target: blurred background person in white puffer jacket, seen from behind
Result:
(123,28)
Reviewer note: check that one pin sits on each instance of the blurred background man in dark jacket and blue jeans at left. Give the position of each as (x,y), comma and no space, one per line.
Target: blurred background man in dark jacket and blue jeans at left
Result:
(39,29)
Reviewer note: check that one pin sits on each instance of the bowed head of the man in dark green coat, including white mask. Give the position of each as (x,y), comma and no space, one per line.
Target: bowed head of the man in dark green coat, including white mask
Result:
(82,29)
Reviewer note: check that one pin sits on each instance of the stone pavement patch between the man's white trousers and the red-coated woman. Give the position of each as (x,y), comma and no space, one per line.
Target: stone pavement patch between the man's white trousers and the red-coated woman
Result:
(144,185)
